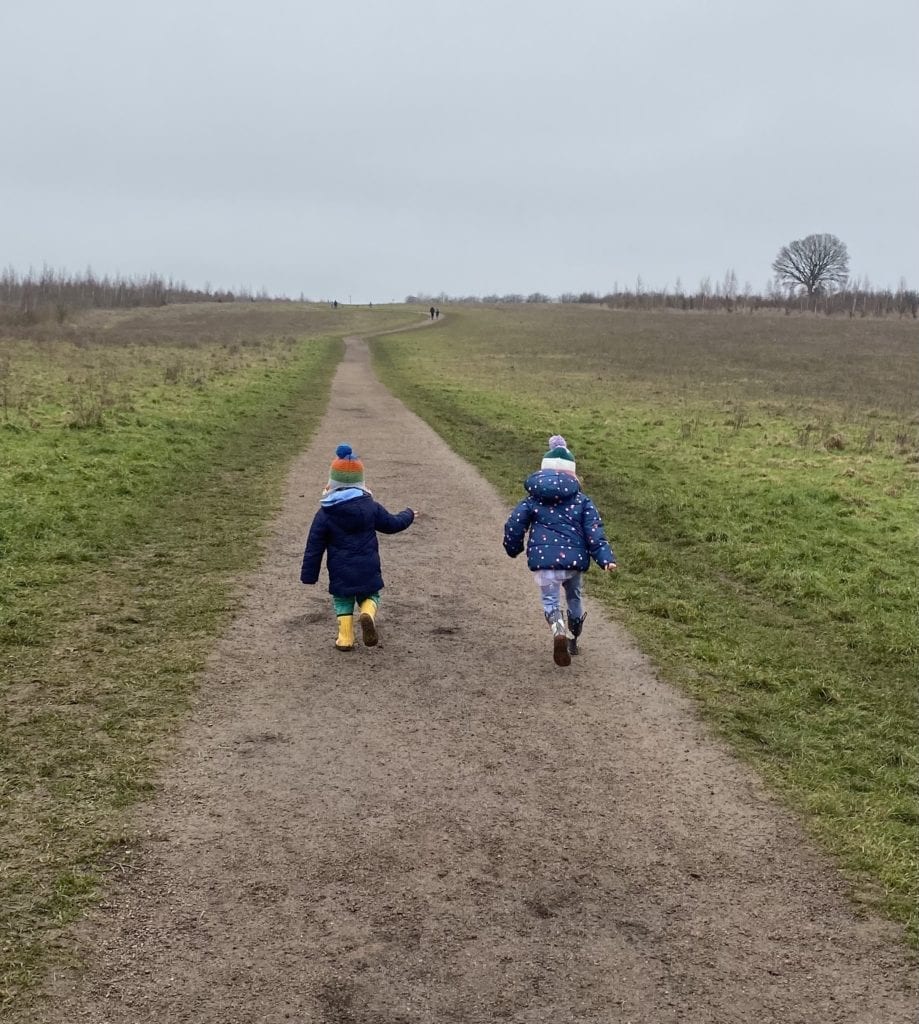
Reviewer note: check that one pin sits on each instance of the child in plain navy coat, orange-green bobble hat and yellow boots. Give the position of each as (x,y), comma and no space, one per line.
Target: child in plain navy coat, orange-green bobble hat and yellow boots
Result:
(345,530)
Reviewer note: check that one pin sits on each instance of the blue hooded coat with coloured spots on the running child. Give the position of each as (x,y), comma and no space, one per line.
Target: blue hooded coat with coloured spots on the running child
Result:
(565,528)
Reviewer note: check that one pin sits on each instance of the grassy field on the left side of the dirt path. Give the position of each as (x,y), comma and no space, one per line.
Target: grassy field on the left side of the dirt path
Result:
(141,455)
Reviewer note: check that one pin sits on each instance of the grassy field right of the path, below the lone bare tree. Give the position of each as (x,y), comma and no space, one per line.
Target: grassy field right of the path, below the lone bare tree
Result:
(759,480)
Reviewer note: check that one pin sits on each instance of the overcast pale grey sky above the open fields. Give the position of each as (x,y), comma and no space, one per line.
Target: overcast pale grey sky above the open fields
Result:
(366,151)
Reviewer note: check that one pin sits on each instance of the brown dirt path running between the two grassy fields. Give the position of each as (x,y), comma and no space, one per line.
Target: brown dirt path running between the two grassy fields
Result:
(451,829)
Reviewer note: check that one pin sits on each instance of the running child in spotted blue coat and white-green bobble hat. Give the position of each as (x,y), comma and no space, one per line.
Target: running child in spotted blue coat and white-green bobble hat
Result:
(565,533)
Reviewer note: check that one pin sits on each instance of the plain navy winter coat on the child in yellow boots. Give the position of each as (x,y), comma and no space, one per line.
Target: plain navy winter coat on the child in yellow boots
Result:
(347,533)
